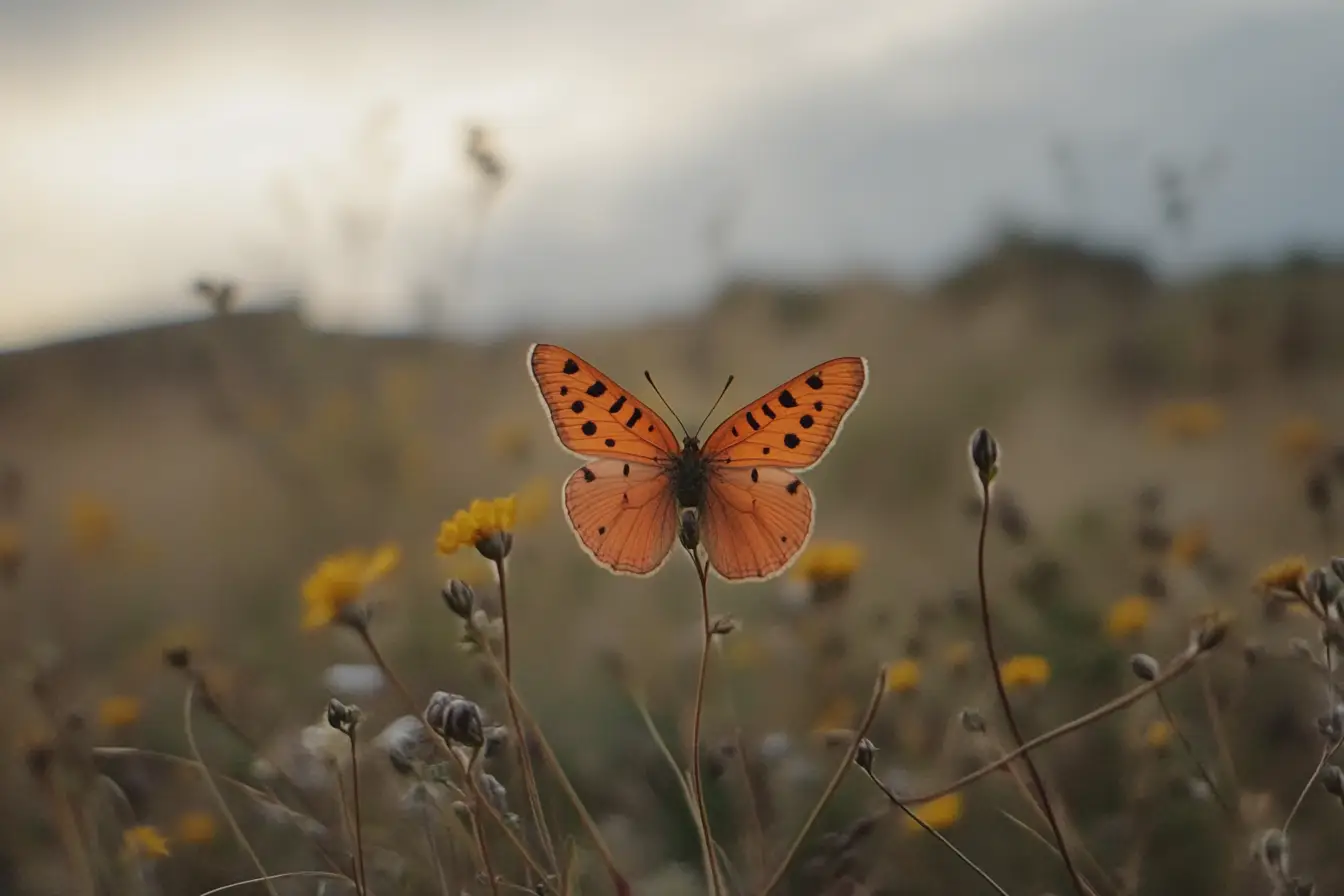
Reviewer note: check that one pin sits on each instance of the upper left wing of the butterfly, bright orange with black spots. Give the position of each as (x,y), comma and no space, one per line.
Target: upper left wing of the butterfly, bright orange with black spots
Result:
(593,417)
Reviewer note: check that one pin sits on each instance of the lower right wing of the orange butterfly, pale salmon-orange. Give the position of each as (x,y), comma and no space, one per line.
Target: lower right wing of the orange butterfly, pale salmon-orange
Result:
(755,521)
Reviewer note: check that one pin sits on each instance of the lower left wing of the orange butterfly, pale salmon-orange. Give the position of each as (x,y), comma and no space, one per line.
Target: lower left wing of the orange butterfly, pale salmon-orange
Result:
(624,514)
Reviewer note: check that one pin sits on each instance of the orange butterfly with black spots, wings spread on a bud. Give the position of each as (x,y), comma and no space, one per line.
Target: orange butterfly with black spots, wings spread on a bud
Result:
(755,514)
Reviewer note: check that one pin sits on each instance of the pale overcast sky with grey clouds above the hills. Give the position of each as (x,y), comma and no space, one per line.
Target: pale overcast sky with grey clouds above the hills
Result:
(318,147)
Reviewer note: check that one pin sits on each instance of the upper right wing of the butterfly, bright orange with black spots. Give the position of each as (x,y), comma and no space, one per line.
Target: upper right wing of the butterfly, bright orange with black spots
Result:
(795,425)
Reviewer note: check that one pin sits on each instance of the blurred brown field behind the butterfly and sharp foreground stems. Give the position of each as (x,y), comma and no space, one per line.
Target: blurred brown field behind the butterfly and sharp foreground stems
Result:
(175,487)
